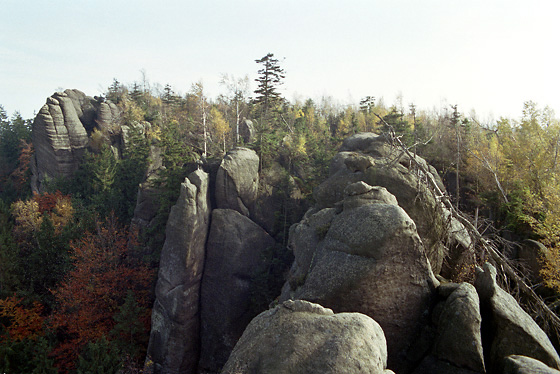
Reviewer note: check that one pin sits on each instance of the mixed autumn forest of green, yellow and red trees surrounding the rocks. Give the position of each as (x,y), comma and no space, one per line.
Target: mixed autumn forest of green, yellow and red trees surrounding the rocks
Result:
(74,293)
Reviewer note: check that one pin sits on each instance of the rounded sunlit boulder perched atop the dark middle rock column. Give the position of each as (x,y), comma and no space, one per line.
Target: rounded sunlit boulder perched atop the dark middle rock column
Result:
(237,181)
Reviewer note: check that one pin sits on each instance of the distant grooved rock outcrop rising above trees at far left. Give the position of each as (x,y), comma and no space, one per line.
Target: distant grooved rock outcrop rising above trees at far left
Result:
(60,132)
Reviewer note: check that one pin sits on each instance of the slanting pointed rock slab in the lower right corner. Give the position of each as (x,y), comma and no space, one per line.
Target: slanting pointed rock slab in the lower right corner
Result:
(514,331)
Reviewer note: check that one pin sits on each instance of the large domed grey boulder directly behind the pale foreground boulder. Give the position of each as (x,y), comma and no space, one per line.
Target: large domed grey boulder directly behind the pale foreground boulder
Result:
(366,258)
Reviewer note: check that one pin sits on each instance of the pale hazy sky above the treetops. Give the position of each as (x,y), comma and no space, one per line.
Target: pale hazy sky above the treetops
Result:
(486,55)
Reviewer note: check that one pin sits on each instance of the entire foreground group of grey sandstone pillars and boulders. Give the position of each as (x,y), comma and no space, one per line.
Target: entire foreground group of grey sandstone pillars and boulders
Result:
(368,251)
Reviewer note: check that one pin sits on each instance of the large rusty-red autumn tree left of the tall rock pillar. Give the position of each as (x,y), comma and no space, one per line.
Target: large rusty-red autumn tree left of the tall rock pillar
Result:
(92,293)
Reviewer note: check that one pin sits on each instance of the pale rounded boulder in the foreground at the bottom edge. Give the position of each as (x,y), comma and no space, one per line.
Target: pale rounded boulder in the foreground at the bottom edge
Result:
(302,337)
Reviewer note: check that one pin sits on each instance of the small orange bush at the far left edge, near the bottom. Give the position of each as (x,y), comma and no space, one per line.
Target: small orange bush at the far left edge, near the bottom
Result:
(25,323)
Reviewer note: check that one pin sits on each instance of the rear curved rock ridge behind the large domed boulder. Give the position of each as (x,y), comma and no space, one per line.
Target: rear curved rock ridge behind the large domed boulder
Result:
(370,158)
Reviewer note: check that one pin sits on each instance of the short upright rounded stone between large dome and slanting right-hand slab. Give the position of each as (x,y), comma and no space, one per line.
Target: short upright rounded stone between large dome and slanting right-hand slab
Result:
(459,338)
